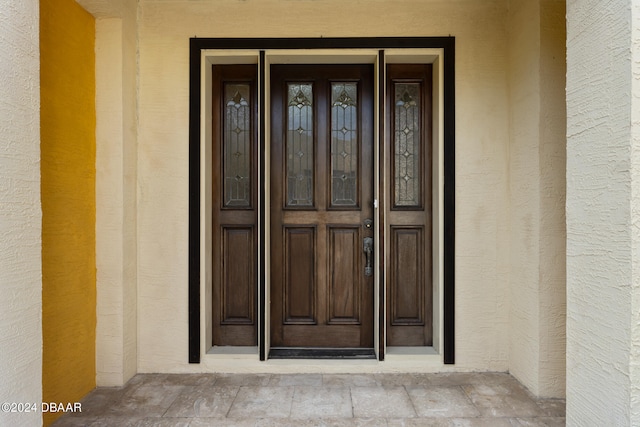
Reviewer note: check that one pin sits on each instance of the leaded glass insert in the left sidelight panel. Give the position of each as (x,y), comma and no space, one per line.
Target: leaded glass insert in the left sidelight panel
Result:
(237,145)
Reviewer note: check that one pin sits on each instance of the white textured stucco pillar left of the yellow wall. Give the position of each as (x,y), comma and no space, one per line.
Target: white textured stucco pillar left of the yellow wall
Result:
(20,214)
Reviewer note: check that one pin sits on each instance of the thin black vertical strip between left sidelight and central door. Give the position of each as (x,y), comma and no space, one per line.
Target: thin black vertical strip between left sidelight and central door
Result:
(262,212)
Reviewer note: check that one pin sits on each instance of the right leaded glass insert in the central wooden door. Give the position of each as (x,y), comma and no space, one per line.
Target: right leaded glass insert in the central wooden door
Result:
(344,144)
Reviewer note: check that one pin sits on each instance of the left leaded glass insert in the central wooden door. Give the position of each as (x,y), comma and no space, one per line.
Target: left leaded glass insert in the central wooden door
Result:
(299,143)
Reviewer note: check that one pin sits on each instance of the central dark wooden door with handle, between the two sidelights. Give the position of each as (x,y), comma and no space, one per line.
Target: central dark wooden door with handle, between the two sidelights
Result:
(321,199)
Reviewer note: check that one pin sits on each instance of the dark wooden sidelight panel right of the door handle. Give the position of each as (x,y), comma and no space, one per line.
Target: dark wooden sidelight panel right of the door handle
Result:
(409,273)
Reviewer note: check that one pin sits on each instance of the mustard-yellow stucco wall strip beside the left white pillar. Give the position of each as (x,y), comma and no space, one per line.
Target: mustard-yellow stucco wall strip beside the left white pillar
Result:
(67,40)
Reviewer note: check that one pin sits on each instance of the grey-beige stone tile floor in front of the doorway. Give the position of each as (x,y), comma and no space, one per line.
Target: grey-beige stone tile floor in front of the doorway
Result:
(457,399)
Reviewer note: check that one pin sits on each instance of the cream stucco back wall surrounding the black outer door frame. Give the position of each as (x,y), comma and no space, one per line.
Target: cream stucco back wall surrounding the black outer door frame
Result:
(482,140)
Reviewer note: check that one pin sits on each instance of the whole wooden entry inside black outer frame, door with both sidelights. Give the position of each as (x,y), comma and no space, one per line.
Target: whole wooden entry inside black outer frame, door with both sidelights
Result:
(333,210)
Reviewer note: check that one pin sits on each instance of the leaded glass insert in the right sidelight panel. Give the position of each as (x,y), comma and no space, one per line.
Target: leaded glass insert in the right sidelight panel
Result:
(407,179)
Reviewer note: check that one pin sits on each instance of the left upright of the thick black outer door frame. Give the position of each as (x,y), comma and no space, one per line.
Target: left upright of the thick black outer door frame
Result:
(194,203)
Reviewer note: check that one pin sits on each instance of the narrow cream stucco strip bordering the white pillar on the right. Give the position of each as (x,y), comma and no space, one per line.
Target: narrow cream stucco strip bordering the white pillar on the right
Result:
(553,233)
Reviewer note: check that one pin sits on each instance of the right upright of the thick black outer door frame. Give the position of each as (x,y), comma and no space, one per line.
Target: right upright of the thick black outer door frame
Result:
(449,201)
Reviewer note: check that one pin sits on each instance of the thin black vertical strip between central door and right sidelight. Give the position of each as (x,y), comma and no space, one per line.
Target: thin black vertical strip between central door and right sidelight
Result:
(381,208)
